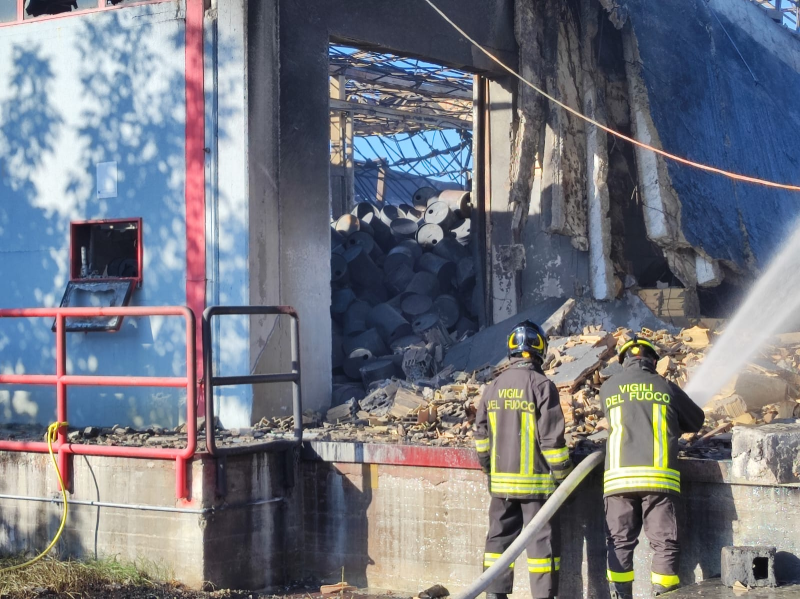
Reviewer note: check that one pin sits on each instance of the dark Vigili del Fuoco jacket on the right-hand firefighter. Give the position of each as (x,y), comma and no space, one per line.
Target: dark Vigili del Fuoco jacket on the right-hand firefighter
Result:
(646,415)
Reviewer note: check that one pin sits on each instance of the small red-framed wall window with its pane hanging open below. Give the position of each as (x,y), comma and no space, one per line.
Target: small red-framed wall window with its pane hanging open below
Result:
(105,266)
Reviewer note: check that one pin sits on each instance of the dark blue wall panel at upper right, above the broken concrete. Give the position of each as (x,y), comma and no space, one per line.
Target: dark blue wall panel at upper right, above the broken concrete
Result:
(707,106)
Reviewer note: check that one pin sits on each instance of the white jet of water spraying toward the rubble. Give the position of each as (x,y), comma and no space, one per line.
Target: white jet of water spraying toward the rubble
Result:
(772,302)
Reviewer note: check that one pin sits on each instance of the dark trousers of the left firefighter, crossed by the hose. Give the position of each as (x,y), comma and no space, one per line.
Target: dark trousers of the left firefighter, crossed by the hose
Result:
(507,517)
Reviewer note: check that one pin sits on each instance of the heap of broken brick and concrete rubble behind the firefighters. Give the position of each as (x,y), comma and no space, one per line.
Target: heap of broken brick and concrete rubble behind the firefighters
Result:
(441,410)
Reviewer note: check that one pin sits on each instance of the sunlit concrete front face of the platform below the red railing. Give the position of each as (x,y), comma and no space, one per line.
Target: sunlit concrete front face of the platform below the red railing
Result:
(169,539)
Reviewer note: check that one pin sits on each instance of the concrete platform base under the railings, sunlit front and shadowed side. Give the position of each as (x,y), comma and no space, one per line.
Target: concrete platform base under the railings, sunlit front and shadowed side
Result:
(241,540)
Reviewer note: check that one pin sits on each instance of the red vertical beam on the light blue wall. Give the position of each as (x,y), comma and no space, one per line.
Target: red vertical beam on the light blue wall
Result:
(195,176)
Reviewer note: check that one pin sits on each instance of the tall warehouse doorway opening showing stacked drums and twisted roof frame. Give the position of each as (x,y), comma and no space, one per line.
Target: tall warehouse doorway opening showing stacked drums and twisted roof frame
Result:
(403,269)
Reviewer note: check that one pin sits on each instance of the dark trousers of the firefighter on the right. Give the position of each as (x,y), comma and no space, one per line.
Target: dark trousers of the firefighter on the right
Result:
(625,515)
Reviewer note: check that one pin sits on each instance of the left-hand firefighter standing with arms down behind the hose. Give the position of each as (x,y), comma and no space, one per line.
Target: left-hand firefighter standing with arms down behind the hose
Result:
(519,436)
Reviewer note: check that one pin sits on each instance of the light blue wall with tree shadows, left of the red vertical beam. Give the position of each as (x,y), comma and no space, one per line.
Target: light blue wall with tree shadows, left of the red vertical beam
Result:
(75,92)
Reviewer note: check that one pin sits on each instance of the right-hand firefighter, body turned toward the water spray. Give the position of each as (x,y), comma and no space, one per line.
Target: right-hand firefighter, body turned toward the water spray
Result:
(646,416)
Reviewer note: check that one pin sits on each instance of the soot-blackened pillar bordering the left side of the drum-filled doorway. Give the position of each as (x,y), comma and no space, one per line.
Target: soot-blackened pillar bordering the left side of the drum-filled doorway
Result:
(304,166)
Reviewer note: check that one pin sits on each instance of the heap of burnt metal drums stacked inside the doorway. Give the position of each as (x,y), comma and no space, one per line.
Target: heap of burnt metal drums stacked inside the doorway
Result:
(403,278)
